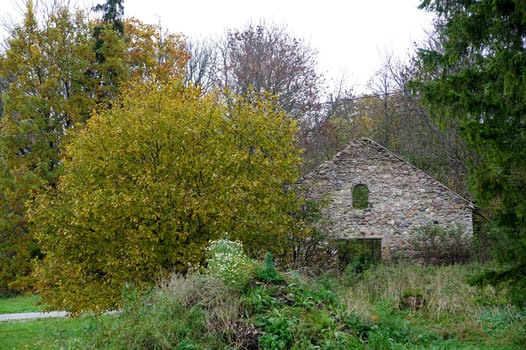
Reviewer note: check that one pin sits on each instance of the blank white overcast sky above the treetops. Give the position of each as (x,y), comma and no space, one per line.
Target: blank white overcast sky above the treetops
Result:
(350,35)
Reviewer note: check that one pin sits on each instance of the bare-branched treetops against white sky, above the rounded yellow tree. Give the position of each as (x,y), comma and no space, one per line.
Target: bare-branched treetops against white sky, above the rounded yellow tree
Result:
(263,58)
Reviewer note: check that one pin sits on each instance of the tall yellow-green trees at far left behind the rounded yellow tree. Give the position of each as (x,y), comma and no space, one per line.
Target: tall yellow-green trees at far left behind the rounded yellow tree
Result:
(51,81)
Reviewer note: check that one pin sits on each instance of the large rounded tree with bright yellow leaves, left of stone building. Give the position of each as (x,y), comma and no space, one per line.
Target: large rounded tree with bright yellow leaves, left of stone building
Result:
(148,183)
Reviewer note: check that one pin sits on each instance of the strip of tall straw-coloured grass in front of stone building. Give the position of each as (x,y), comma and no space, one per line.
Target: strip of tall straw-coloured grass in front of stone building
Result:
(444,289)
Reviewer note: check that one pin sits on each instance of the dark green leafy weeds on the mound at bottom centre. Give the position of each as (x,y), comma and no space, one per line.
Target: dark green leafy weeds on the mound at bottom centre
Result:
(297,315)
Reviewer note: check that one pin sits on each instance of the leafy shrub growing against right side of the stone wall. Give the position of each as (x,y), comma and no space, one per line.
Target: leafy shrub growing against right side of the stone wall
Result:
(434,244)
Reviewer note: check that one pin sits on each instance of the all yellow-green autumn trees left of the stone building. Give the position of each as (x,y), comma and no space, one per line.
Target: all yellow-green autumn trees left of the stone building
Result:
(115,169)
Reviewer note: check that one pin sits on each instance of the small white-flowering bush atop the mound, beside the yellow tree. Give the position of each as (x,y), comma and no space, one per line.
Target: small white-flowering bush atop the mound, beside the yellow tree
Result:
(227,261)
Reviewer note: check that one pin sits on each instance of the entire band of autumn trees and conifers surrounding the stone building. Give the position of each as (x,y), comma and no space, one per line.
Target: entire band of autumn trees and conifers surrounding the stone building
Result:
(124,148)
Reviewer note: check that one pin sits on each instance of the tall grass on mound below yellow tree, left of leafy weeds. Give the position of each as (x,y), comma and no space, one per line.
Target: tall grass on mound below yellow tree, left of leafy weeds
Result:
(183,312)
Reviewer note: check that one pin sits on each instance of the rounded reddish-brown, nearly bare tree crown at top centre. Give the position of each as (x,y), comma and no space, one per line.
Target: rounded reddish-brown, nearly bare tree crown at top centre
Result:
(265,58)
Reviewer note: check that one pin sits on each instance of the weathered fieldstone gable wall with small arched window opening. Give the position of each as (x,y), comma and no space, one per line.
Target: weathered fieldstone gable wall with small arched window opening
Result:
(401,197)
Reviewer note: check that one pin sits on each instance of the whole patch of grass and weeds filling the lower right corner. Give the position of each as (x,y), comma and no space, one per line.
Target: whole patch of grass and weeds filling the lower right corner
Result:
(450,315)
